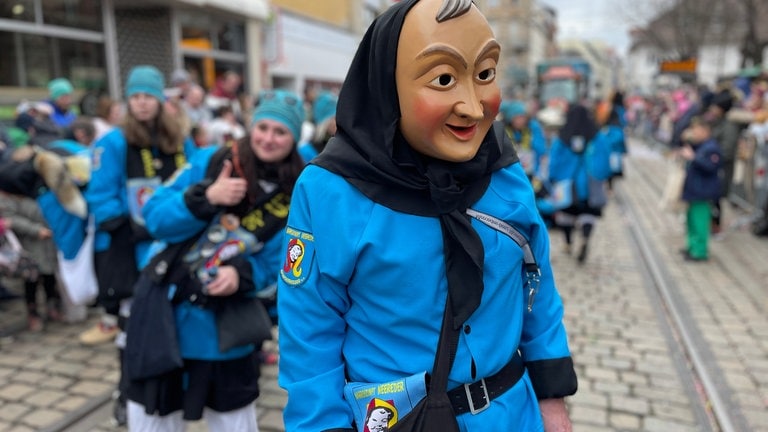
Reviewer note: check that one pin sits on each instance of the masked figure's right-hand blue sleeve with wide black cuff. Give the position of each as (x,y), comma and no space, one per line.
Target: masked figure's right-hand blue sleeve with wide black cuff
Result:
(544,342)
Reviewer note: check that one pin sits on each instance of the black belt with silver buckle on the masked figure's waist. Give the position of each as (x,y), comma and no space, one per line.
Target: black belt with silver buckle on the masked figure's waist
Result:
(477,397)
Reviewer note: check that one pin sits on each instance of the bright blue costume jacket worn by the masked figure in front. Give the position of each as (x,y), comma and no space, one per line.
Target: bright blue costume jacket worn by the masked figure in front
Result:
(372,299)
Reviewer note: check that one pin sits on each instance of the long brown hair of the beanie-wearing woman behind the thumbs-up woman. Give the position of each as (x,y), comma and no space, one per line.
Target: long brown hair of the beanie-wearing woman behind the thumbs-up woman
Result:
(169,136)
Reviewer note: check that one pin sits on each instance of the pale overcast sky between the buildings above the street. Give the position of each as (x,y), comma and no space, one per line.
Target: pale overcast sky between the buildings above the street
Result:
(605,20)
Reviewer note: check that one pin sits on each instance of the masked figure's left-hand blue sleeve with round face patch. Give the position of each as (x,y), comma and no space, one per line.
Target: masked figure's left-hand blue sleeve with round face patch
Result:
(312,310)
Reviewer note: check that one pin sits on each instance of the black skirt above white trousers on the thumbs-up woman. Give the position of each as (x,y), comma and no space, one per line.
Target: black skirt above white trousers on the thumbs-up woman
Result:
(219,385)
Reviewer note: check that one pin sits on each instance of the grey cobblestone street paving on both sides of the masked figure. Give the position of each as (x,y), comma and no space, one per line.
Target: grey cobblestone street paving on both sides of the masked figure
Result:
(632,373)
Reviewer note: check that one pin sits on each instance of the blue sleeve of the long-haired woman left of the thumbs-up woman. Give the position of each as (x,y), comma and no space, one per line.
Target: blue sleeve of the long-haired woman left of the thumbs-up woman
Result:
(106,195)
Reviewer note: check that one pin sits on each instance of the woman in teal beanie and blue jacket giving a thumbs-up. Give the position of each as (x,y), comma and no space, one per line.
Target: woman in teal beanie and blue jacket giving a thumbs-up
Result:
(228,195)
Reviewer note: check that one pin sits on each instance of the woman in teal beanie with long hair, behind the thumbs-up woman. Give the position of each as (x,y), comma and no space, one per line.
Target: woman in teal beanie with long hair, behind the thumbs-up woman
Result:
(129,163)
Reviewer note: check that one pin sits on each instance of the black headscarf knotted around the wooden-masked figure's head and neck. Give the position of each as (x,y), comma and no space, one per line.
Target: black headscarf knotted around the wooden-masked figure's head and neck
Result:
(370,152)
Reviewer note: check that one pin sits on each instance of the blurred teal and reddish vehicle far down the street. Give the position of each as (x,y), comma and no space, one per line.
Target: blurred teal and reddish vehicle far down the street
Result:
(563,78)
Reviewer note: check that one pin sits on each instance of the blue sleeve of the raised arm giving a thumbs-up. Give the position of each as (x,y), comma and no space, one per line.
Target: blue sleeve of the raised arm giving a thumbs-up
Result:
(166,214)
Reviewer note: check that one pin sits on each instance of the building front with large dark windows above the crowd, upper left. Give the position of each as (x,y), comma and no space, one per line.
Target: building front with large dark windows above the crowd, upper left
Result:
(94,43)
